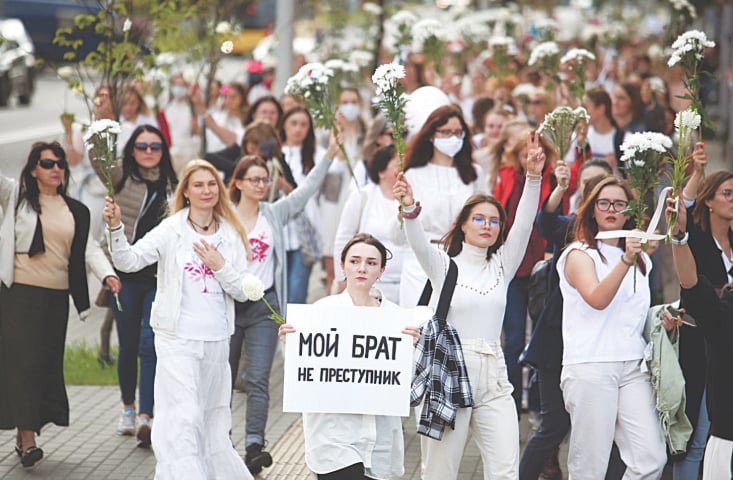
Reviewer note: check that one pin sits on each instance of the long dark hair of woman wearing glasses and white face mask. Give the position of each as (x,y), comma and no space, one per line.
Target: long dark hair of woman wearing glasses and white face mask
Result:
(420,150)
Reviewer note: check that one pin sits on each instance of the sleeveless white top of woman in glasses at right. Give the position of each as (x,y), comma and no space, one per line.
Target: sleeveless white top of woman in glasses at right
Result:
(613,334)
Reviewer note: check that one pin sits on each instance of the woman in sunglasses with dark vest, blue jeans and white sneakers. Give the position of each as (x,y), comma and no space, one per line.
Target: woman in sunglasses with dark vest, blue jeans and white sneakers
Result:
(144,181)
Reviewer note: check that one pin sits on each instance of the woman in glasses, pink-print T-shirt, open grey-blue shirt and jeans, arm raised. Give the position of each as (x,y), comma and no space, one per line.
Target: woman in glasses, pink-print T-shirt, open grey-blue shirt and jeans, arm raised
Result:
(265,223)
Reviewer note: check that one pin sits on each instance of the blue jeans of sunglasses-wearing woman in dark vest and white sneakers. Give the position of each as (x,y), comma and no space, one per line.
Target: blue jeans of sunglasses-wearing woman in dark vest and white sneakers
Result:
(135,338)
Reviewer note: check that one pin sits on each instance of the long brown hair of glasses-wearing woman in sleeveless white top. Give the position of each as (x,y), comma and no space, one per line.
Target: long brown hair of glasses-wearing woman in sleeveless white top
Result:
(586,226)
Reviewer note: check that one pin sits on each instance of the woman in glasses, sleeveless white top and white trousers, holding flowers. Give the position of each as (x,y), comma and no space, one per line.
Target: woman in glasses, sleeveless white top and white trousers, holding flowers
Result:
(608,396)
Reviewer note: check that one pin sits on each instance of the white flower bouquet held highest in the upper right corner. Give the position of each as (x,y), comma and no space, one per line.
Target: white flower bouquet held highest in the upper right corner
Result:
(687,52)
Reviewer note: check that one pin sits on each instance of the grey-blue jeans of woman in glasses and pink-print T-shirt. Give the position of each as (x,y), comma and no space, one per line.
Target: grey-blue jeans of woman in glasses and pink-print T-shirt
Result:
(258,334)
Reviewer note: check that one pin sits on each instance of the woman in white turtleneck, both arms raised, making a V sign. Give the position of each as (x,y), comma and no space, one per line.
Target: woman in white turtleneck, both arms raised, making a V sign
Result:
(486,264)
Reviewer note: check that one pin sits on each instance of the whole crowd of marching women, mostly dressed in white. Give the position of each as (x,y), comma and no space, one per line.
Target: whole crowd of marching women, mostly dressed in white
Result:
(484,198)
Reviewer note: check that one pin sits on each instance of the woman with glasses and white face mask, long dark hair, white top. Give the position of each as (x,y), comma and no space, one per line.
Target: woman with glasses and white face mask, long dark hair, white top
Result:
(442,176)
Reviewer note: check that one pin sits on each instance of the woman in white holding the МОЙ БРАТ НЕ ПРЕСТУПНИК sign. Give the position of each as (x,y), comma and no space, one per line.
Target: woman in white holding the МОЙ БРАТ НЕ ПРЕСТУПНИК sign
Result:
(340,446)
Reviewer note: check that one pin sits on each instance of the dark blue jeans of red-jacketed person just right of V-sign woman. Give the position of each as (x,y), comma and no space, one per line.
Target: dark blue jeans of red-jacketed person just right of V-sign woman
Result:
(515,326)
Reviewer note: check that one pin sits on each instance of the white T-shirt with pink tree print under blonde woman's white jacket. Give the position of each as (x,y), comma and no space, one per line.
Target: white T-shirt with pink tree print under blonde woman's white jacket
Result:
(203,307)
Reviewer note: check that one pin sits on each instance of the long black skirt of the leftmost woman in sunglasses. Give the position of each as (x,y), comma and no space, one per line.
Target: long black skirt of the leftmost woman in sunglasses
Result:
(33,324)
